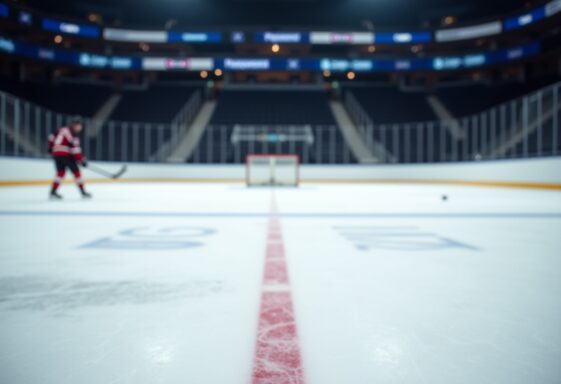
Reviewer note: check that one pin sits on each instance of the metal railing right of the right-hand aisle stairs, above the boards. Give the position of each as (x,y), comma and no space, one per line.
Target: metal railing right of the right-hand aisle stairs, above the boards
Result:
(528,126)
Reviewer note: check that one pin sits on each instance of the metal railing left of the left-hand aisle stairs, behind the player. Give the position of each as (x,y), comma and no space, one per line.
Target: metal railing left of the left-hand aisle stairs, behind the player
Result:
(25,126)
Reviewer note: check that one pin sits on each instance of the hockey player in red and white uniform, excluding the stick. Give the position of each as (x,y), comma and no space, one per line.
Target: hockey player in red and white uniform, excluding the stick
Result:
(64,145)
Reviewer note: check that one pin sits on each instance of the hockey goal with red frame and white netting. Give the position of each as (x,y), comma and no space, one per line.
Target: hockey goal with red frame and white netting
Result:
(277,170)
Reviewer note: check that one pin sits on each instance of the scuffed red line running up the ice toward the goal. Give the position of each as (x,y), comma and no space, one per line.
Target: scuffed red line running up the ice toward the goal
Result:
(277,354)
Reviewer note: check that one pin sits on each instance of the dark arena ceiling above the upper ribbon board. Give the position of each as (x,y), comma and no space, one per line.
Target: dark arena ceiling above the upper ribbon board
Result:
(229,13)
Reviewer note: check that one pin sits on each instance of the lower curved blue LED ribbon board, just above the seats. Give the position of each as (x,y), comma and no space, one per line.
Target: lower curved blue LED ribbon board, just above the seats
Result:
(440,63)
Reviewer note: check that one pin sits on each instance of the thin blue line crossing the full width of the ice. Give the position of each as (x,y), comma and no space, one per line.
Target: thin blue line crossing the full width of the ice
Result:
(489,215)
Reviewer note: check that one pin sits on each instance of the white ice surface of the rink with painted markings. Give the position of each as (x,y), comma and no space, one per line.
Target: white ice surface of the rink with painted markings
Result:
(324,284)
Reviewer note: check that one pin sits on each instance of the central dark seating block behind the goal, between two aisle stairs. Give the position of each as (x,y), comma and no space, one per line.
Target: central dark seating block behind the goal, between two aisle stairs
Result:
(280,108)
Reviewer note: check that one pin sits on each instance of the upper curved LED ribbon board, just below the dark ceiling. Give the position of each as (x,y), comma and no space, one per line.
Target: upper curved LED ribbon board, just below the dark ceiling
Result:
(290,37)
